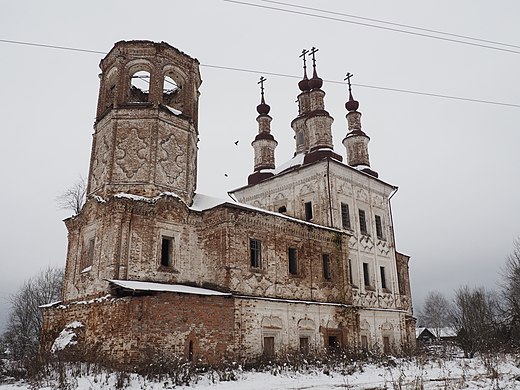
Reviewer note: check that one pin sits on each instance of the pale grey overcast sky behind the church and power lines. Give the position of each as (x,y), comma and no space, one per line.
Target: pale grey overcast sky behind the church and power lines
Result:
(456,212)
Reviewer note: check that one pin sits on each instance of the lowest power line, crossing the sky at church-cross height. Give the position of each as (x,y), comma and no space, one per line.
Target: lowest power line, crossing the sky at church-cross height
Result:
(254,71)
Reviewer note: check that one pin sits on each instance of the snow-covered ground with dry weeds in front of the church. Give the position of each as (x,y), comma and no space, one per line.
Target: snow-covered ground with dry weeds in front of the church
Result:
(477,373)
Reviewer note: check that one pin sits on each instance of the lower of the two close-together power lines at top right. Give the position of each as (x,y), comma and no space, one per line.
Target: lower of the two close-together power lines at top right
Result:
(373,26)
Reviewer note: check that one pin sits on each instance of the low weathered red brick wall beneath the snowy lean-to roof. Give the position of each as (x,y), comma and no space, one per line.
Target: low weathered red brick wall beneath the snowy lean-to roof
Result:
(130,331)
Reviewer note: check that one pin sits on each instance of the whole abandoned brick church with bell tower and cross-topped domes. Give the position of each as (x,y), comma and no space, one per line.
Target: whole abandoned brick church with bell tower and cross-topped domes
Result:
(302,260)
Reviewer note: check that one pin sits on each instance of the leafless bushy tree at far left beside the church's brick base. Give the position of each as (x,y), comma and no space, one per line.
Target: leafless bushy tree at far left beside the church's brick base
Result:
(25,317)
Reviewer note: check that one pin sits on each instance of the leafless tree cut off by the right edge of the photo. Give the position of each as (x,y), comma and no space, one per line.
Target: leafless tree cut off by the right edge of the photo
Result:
(511,292)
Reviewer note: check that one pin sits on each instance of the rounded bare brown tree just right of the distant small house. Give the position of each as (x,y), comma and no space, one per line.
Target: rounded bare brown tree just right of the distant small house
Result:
(474,317)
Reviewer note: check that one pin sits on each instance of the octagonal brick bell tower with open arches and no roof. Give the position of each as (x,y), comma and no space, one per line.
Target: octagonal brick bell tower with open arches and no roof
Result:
(145,133)
